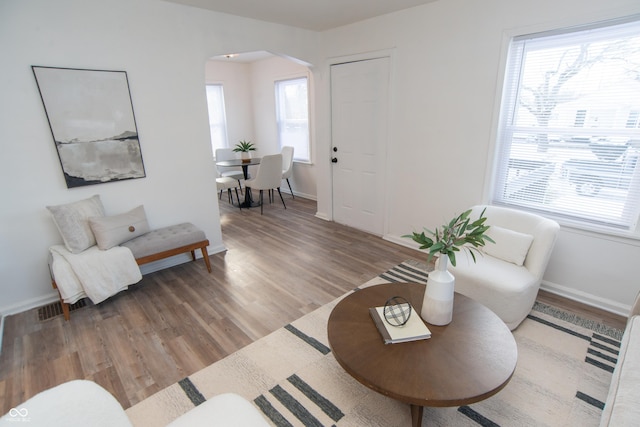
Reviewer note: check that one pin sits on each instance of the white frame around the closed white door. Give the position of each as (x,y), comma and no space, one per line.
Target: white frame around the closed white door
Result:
(385,53)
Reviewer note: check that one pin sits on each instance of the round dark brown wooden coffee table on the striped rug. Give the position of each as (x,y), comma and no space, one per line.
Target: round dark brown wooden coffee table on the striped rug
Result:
(466,361)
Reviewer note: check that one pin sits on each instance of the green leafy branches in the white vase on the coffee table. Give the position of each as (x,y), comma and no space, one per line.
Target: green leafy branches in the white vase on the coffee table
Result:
(459,233)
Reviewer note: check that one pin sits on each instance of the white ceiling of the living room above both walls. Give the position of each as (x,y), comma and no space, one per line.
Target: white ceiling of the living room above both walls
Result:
(316,15)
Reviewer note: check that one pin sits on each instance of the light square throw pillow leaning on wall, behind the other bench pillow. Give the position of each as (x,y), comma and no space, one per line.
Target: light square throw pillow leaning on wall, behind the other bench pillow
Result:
(72,220)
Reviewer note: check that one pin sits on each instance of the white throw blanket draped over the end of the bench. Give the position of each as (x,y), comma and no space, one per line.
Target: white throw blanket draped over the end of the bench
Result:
(95,273)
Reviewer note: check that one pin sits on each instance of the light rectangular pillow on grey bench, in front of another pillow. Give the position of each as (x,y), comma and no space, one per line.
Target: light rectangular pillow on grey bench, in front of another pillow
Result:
(113,230)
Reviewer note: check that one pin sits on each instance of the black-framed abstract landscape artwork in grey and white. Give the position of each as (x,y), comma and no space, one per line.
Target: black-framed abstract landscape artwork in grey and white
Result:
(91,119)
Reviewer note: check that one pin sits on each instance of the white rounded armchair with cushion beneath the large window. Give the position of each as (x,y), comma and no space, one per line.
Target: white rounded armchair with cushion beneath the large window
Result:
(507,276)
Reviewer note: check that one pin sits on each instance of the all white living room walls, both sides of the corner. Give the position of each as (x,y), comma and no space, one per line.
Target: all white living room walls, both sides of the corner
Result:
(447,61)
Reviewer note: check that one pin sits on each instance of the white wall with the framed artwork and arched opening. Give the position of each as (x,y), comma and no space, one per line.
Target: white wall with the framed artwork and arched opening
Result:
(163,47)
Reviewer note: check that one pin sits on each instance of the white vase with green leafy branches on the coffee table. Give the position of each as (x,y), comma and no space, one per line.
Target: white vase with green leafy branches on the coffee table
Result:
(458,234)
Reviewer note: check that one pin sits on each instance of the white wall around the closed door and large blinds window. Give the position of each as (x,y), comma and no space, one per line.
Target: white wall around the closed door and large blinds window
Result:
(447,61)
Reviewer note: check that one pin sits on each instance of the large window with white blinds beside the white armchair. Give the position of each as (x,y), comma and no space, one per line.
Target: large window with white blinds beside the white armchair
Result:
(569,136)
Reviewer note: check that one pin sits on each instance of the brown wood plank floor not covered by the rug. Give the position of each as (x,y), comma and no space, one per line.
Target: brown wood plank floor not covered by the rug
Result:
(278,266)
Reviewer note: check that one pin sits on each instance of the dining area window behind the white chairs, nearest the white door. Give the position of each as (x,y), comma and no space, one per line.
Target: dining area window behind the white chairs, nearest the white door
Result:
(292,110)
